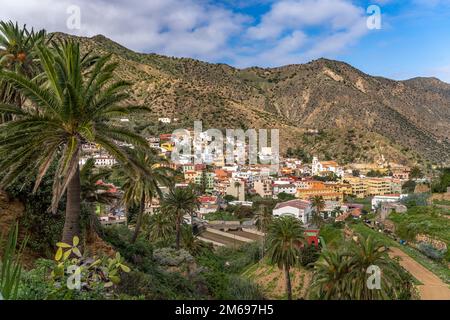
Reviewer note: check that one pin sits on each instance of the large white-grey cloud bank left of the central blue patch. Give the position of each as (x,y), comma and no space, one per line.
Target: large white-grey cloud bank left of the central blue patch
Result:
(173,27)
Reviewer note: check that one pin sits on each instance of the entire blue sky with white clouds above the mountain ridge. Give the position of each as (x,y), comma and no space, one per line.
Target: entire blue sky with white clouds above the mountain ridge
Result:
(414,39)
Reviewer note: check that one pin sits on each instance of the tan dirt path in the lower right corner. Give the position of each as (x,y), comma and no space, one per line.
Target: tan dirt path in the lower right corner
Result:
(432,287)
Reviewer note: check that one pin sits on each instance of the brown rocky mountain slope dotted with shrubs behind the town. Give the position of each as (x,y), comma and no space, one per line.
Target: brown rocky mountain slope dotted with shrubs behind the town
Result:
(358,117)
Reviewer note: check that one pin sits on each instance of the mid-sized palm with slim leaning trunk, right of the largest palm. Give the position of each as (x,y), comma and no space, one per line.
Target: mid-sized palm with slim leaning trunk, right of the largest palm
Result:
(141,186)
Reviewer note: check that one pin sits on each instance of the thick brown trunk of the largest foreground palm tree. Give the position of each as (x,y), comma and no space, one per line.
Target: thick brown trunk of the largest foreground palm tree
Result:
(73,209)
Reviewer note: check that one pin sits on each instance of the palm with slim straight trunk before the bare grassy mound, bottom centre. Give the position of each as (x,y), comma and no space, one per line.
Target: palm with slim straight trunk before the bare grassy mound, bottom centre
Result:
(284,239)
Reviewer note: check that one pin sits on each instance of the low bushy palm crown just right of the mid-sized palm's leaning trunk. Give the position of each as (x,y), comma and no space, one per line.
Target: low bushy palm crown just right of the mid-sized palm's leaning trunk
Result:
(158,226)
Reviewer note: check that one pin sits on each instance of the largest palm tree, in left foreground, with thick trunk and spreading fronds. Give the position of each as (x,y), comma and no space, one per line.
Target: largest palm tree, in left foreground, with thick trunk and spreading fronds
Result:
(73,102)
